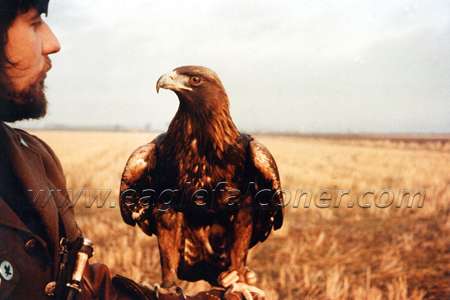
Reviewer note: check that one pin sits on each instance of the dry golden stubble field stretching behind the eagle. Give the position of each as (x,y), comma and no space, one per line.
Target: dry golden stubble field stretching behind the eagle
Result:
(321,253)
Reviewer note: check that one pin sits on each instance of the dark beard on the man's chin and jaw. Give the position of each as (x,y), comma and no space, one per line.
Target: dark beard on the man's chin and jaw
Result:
(28,104)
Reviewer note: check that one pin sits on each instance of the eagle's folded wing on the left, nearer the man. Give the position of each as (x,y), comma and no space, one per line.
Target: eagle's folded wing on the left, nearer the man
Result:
(137,177)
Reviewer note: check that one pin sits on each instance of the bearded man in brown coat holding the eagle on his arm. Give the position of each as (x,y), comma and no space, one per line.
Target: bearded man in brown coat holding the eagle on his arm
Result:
(32,218)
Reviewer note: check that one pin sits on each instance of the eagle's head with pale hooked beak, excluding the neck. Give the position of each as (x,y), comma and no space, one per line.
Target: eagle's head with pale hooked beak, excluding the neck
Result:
(196,87)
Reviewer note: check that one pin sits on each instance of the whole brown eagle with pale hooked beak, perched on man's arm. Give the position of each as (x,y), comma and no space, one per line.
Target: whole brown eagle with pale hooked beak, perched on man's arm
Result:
(208,192)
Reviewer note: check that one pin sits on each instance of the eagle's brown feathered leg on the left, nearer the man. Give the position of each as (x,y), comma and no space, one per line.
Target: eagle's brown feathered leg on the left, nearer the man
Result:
(169,230)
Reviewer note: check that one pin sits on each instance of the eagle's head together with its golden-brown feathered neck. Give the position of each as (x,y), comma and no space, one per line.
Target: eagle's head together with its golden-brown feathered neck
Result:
(203,113)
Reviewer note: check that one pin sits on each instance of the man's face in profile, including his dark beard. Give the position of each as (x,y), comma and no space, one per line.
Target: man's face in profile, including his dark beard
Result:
(30,42)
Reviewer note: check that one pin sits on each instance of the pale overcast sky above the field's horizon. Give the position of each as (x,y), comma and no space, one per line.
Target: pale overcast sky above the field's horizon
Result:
(339,66)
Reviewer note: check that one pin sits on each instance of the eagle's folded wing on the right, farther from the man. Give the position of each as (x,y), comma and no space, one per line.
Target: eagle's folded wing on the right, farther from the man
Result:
(267,178)
